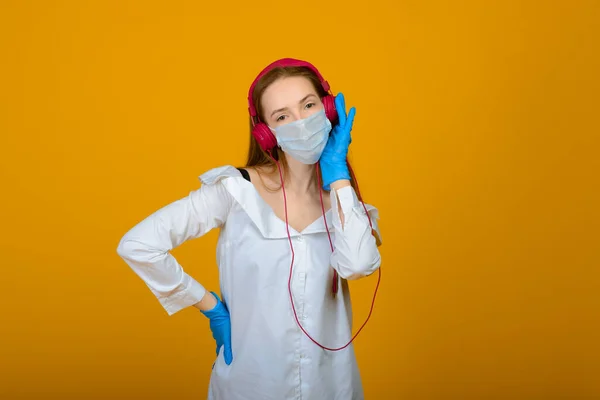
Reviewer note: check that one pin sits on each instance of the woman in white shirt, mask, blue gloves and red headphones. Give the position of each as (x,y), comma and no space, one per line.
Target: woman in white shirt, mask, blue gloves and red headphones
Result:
(293,230)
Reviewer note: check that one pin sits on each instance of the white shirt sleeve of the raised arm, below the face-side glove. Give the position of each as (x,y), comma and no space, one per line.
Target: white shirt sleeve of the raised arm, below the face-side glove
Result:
(356,243)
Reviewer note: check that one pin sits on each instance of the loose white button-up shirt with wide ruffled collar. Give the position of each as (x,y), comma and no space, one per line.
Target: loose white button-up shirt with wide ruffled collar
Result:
(272,357)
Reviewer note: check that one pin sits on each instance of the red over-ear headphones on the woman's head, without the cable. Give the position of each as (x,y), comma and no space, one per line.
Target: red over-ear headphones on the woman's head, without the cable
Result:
(261,132)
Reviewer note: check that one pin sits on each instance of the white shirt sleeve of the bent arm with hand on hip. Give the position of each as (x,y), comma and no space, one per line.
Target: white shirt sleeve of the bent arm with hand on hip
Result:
(146,247)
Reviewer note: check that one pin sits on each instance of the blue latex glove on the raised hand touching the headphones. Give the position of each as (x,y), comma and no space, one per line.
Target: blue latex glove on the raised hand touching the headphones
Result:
(333,159)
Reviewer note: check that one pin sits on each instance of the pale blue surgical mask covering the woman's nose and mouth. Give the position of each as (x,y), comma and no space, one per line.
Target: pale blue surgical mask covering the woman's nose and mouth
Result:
(306,138)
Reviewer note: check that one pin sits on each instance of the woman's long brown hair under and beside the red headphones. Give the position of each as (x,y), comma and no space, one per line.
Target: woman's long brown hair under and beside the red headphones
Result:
(257,157)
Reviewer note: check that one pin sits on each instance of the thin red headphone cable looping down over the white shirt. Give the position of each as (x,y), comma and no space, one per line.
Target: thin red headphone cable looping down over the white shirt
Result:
(293,256)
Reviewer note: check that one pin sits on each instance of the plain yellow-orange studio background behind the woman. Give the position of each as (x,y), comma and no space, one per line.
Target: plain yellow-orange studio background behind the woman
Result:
(476,136)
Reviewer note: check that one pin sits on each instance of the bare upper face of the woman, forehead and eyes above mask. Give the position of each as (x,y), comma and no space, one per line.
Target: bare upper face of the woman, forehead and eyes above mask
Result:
(289,99)
